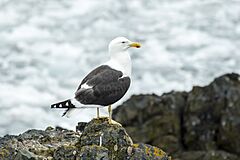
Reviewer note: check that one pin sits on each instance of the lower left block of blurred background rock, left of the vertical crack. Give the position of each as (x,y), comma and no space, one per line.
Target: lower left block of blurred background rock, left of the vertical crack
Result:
(154,120)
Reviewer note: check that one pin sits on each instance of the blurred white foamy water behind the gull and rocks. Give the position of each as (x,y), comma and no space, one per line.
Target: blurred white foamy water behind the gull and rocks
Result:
(47,46)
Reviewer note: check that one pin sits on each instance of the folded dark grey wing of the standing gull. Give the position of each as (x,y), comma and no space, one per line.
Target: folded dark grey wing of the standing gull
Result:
(108,86)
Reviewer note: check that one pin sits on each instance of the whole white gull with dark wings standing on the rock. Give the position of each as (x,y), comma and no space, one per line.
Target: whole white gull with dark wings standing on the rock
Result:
(106,84)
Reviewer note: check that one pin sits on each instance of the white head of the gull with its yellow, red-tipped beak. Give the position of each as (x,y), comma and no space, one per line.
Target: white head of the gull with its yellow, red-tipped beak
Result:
(121,44)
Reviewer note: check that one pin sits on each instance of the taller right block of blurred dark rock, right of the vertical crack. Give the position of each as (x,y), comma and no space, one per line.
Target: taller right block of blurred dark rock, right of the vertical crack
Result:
(212,115)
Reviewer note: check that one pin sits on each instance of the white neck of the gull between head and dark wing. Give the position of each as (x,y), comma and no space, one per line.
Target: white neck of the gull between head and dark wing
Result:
(121,61)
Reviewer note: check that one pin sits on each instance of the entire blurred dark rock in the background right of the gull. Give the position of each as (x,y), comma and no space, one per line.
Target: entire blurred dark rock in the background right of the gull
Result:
(201,124)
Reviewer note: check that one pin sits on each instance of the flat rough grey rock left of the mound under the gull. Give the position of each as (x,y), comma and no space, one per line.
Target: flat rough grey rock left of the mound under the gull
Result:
(36,144)
